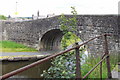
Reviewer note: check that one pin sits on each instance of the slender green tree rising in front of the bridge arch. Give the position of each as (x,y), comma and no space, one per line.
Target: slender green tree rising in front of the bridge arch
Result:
(69,24)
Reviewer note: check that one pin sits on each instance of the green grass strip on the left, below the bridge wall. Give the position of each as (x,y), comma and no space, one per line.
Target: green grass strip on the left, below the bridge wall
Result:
(10,46)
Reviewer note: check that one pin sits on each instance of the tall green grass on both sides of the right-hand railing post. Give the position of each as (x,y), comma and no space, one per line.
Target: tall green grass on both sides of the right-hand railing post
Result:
(91,62)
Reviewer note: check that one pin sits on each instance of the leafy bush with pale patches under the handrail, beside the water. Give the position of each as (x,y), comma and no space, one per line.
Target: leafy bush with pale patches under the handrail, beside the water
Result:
(63,66)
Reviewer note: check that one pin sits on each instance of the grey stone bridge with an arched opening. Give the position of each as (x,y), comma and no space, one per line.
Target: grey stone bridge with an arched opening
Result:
(45,34)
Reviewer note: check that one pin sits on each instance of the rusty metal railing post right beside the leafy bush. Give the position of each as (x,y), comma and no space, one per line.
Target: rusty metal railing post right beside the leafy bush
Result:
(78,66)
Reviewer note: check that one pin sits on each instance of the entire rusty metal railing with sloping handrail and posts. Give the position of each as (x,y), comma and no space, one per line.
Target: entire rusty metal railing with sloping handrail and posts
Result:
(78,66)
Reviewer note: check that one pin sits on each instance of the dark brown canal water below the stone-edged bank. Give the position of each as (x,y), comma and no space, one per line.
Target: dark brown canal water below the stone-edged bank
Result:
(34,72)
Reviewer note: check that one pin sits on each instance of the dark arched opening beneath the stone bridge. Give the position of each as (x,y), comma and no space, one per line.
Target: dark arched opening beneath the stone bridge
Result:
(51,40)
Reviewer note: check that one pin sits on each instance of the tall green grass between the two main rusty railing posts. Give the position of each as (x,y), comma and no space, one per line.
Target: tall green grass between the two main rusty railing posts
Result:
(90,62)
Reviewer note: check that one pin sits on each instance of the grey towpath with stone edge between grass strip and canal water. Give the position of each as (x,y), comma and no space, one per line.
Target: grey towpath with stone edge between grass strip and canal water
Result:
(21,56)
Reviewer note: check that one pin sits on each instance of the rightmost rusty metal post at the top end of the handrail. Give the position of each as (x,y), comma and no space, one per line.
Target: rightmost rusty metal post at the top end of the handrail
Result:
(107,59)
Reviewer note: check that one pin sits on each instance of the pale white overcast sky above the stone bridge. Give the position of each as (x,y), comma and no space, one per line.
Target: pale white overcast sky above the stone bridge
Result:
(29,7)
